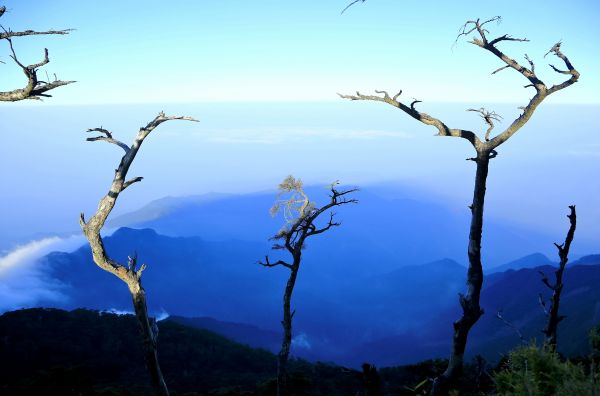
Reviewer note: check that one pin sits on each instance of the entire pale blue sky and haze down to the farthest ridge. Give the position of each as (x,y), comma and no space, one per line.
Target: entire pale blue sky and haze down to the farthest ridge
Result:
(232,64)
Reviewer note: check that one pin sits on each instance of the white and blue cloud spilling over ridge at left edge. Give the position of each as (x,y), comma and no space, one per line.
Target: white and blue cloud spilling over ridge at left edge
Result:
(24,282)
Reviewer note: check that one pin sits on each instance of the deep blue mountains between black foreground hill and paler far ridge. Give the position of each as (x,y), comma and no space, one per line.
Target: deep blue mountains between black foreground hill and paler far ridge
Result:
(397,317)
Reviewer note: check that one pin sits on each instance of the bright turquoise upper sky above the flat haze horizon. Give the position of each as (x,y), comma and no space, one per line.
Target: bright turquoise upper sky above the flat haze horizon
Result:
(232,50)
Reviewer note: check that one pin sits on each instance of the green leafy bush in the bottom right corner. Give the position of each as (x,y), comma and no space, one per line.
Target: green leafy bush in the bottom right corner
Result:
(533,371)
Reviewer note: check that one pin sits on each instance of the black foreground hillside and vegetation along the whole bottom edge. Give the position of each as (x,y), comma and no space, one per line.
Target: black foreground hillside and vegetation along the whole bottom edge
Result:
(82,352)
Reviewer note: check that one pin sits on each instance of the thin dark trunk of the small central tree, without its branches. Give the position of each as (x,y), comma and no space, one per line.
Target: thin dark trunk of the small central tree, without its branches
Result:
(286,343)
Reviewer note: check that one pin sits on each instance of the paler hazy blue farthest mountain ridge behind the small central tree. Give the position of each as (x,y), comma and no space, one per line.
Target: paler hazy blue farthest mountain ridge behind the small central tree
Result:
(390,232)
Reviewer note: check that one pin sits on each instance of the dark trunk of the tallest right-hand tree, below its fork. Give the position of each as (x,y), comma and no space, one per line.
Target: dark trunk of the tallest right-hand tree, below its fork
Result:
(469,302)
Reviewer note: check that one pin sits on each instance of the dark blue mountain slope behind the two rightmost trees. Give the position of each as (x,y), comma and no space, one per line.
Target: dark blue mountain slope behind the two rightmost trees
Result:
(516,295)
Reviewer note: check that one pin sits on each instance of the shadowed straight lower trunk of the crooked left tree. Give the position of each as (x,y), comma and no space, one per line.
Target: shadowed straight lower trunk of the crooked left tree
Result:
(149,335)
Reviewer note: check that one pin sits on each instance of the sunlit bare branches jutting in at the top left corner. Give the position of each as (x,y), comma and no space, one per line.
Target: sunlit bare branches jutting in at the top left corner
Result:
(35,88)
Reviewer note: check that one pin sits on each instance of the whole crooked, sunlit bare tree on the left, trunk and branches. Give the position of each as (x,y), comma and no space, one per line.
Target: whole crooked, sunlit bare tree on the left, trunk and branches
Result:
(129,273)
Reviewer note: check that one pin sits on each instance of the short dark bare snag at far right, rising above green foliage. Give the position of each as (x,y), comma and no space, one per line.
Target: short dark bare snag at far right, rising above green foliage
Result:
(552,312)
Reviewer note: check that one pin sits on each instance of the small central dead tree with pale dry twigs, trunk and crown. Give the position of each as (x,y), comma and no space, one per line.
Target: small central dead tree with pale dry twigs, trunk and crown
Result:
(300,215)
